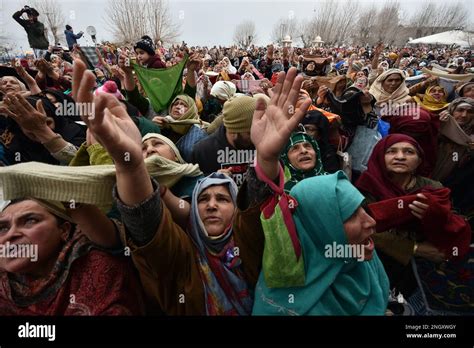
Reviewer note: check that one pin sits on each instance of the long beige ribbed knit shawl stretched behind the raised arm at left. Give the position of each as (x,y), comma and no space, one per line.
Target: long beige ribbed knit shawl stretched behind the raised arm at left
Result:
(84,184)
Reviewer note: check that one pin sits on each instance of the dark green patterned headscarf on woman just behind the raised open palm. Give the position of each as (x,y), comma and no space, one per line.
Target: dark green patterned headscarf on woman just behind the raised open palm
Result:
(297,174)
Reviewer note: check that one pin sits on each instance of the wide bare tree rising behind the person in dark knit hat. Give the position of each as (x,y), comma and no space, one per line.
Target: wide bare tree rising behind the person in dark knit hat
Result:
(131,19)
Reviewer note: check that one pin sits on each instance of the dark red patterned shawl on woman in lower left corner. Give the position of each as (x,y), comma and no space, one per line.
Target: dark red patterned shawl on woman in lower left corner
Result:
(84,281)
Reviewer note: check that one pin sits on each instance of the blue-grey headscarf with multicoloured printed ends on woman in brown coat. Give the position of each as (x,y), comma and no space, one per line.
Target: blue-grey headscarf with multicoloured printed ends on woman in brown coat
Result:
(225,288)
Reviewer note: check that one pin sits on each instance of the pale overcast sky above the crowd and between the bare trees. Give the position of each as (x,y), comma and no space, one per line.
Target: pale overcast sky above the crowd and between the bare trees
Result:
(202,22)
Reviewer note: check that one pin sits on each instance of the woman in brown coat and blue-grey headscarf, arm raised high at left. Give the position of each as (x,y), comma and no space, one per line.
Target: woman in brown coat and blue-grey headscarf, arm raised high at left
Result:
(207,268)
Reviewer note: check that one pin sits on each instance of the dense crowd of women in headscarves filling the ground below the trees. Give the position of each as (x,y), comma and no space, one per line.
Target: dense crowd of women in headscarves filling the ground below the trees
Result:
(226,197)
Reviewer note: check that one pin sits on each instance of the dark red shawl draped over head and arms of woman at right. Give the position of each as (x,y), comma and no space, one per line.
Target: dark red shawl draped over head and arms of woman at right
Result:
(440,226)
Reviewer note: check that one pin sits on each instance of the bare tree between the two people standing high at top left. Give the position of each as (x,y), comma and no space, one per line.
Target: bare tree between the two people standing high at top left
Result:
(53,16)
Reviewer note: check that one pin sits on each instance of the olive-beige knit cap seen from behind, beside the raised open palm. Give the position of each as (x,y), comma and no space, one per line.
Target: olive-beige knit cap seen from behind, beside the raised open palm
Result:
(238,113)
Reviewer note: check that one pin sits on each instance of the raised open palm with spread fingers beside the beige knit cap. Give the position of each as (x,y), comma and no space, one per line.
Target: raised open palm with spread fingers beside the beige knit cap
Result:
(273,124)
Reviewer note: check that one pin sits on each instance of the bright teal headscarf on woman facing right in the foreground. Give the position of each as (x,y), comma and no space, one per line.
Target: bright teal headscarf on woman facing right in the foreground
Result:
(334,286)
